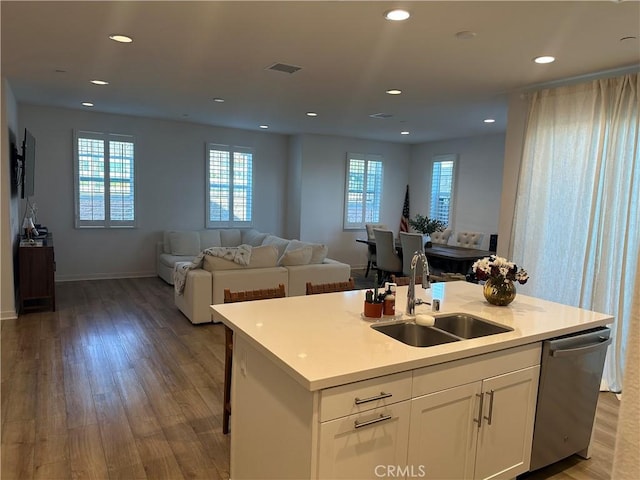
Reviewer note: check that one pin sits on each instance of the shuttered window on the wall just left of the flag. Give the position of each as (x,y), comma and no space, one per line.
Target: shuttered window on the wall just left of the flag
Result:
(363,191)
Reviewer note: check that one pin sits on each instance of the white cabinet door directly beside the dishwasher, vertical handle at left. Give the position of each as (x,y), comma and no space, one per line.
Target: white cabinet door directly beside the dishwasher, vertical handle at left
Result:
(506,434)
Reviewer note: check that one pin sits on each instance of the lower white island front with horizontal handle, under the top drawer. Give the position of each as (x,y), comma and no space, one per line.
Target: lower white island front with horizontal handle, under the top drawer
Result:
(365,445)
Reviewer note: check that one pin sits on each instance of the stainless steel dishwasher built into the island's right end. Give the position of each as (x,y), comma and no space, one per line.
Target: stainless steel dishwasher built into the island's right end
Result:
(570,374)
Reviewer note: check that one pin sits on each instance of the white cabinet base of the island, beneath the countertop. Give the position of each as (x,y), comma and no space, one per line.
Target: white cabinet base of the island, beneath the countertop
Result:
(416,423)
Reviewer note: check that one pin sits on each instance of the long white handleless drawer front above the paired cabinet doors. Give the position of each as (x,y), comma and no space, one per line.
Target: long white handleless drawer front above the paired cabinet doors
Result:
(447,375)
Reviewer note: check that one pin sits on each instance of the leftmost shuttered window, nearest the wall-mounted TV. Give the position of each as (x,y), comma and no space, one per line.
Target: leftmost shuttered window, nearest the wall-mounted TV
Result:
(104,180)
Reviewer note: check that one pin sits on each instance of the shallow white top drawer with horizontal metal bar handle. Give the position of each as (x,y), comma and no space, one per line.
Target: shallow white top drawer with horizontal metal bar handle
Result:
(365,395)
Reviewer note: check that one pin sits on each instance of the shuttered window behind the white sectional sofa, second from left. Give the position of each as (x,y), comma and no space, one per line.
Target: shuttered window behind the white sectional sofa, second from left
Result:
(229,186)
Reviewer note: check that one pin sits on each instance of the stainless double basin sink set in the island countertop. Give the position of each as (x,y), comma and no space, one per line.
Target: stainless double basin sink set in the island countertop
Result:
(446,328)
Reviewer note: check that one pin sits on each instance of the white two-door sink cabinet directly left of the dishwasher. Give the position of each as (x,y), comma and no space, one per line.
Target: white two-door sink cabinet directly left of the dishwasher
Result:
(480,429)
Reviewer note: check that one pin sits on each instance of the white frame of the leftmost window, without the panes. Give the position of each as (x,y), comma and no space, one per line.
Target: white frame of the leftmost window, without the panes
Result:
(106,138)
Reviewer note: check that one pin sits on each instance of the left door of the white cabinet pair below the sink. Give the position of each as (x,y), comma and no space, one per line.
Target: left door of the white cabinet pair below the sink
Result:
(444,431)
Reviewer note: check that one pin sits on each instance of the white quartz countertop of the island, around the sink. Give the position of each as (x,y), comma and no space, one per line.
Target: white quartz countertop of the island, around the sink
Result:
(323,341)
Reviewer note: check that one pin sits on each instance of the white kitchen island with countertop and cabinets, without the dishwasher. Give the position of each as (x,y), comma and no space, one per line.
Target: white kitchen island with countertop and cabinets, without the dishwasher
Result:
(318,393)
